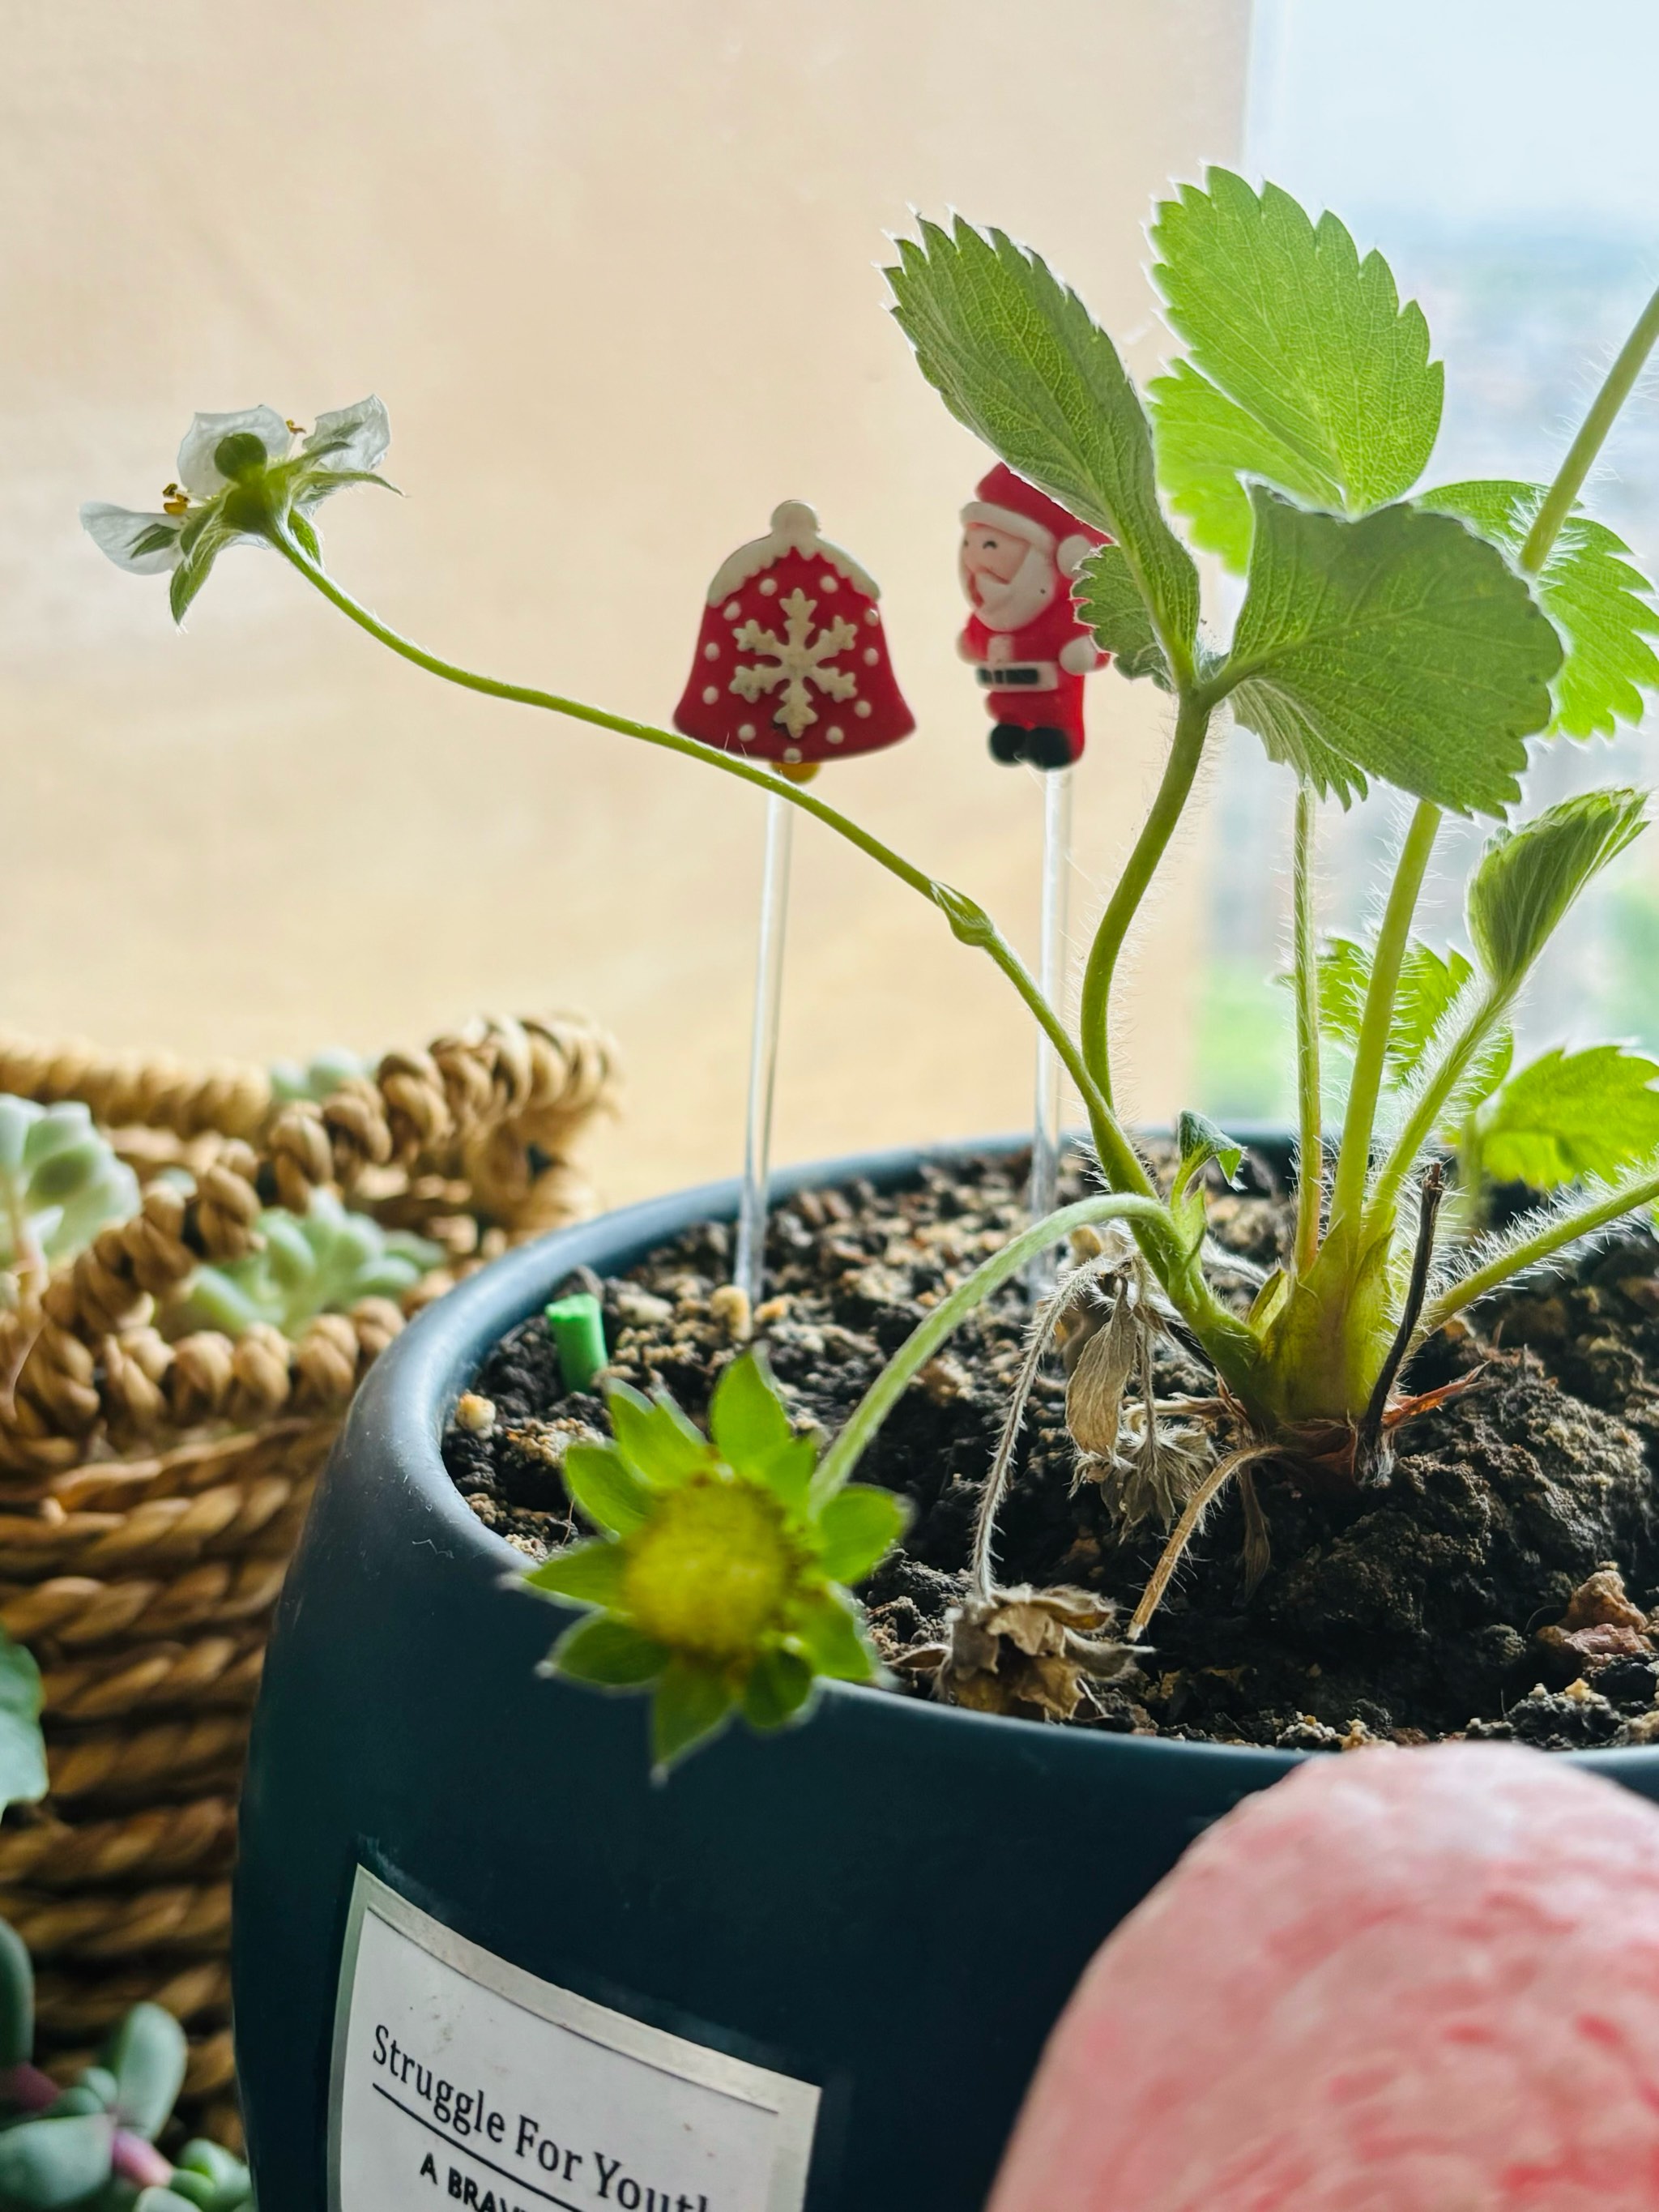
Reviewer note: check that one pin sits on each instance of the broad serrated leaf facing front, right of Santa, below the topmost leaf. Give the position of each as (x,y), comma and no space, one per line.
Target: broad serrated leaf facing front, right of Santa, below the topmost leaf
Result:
(1395,647)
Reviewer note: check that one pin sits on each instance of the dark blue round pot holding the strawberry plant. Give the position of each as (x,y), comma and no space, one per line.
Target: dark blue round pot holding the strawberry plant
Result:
(893,1901)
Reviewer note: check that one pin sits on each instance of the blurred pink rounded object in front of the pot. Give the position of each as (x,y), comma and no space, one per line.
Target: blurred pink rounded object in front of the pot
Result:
(1395,1983)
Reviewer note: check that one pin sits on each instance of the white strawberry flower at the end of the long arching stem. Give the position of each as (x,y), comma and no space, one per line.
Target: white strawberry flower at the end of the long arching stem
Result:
(242,481)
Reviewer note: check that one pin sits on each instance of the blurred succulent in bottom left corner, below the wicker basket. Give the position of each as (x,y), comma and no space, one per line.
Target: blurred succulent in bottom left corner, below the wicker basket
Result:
(94,2145)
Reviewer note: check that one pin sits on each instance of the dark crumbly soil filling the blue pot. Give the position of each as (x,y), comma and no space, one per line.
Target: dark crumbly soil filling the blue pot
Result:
(1501,1583)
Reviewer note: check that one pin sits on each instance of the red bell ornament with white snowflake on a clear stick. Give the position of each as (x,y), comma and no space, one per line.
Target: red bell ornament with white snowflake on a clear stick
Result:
(791,656)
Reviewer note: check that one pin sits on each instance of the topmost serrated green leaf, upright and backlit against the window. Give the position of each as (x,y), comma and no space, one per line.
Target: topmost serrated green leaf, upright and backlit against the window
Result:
(1311,342)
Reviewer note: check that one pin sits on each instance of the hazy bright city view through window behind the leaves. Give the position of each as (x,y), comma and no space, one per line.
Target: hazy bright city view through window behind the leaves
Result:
(1505,163)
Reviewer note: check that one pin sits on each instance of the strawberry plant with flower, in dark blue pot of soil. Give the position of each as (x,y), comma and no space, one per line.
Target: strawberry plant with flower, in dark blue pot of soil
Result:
(1266,1474)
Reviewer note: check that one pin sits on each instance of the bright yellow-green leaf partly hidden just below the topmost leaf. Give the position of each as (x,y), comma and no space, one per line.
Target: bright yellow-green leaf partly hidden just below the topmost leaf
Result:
(1204,446)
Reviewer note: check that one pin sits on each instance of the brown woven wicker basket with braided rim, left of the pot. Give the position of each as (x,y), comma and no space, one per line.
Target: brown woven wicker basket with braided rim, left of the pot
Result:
(152,1490)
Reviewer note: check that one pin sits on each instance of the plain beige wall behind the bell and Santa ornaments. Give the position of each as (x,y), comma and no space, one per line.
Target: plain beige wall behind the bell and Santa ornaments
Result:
(614,271)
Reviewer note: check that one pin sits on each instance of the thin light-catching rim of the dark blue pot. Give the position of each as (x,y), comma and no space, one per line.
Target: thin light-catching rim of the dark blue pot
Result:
(410,1392)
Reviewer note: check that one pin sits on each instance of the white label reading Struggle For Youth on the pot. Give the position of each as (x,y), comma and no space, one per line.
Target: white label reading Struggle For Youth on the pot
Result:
(461,2080)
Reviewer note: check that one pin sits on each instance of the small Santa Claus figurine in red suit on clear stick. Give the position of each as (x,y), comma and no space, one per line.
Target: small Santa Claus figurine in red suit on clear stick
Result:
(1021,552)
